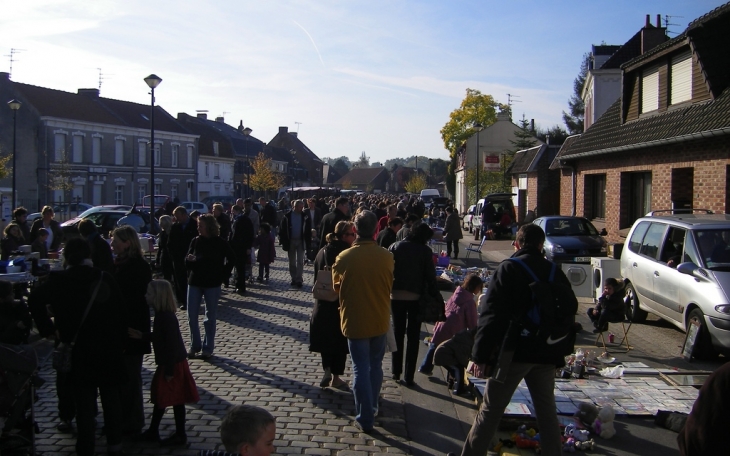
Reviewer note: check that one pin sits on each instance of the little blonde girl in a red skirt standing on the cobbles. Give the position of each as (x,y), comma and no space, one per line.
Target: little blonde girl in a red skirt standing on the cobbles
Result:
(172,384)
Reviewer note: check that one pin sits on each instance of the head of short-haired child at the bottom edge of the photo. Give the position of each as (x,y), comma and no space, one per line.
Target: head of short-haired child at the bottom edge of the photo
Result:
(246,431)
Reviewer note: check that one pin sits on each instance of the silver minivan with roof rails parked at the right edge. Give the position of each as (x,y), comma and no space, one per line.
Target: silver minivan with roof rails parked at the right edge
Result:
(677,266)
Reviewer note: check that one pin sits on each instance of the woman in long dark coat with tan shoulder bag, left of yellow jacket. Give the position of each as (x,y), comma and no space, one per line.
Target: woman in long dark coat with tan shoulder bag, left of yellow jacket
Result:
(325,333)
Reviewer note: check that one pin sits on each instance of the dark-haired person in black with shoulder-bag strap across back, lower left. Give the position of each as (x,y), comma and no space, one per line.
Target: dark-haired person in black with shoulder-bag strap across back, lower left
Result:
(98,360)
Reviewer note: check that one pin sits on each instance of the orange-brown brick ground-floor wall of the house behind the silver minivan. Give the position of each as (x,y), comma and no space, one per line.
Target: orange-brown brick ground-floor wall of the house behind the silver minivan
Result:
(695,170)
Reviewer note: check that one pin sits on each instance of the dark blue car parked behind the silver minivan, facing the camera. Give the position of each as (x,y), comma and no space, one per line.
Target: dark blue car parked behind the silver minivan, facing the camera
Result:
(571,239)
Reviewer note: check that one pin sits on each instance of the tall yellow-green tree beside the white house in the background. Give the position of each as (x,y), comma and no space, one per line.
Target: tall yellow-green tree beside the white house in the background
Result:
(475,107)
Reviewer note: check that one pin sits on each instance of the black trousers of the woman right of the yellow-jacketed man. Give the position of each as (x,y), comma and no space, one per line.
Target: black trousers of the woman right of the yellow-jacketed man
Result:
(406,323)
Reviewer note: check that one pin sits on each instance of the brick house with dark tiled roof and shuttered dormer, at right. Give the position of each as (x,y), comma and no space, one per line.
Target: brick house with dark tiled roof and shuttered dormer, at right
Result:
(664,142)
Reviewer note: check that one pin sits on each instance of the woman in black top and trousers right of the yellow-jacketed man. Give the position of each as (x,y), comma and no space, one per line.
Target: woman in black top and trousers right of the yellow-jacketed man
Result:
(414,276)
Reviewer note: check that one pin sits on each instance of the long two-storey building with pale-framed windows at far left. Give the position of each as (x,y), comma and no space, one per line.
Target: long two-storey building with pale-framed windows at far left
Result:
(100,146)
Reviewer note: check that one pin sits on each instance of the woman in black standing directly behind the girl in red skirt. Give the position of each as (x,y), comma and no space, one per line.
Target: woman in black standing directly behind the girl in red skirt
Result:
(133,274)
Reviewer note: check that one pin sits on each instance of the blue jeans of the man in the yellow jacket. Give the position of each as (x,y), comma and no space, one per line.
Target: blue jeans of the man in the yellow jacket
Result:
(367,372)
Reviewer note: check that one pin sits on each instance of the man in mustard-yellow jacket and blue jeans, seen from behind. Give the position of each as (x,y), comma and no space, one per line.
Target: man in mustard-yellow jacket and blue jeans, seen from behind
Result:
(363,275)
